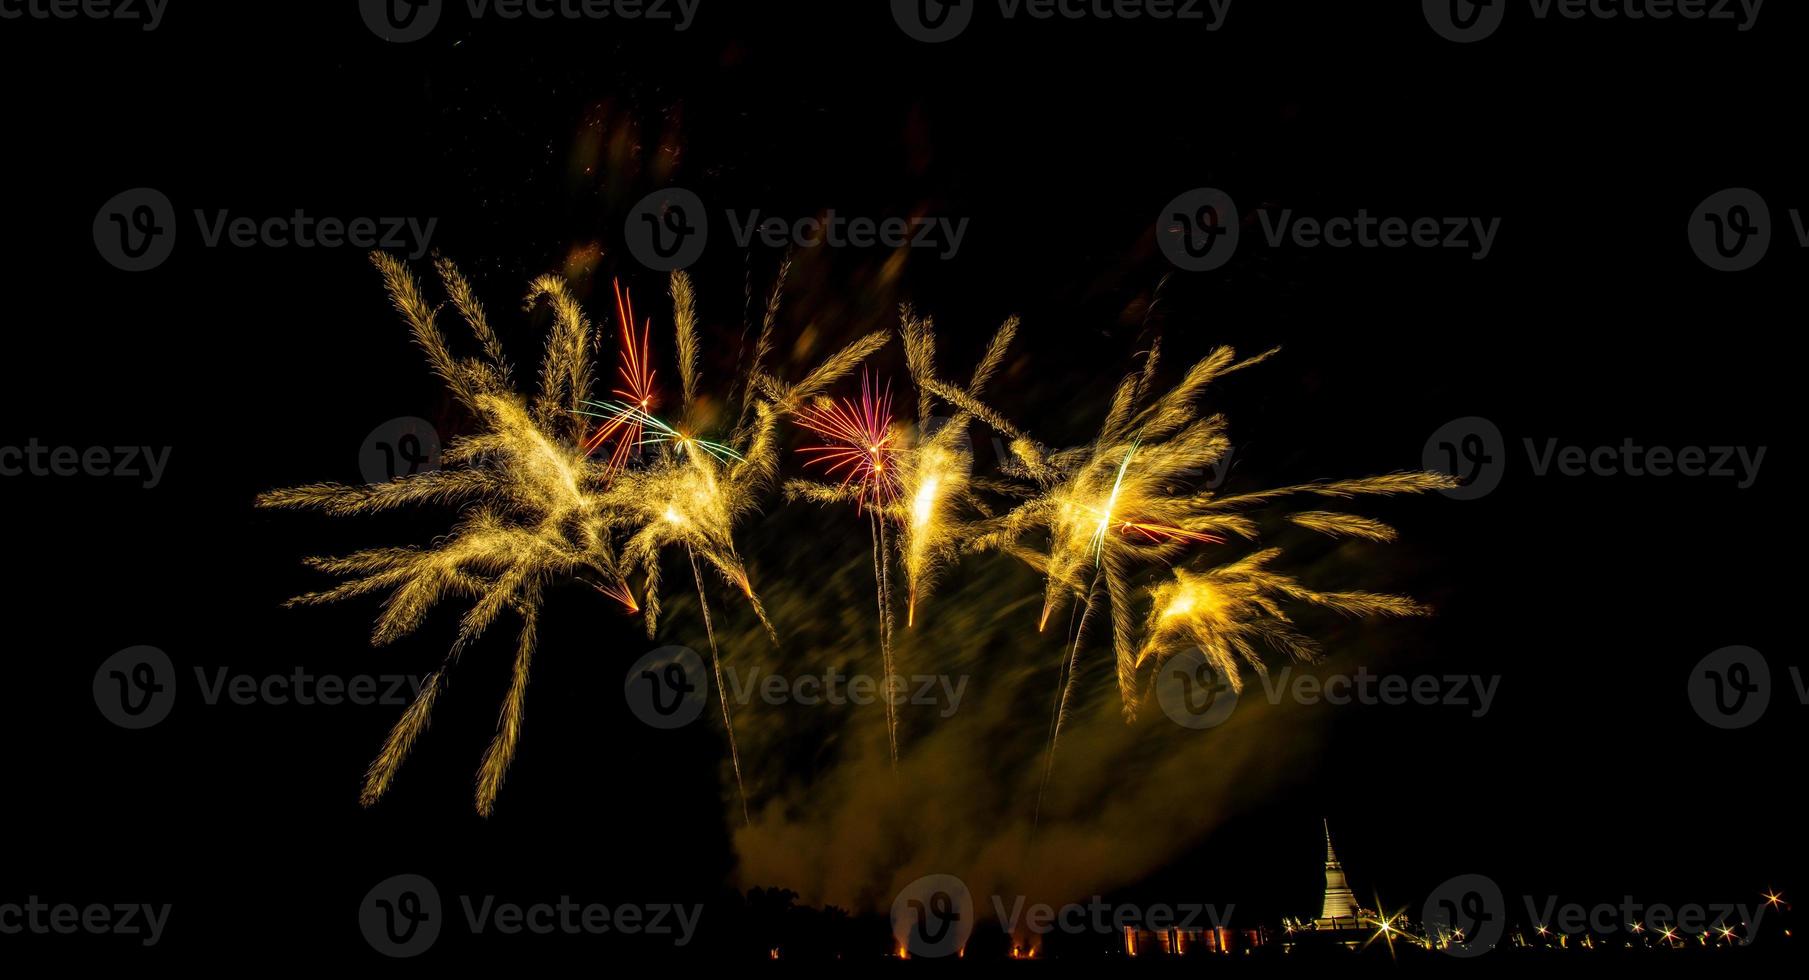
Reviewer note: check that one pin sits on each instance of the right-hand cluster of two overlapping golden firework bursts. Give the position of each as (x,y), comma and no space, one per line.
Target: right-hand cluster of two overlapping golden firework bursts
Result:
(1119,507)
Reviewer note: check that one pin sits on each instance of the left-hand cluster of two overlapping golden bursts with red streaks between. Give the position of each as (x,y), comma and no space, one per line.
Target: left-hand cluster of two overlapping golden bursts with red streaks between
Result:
(540,509)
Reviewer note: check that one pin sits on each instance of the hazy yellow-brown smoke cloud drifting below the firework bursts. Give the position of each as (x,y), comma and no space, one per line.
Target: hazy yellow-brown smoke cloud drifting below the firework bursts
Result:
(831,818)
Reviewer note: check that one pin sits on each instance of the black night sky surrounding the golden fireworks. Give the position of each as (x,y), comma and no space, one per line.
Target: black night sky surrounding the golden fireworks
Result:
(1586,599)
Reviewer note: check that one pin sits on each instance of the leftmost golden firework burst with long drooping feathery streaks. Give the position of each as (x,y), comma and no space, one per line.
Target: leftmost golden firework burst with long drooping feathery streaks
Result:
(531,514)
